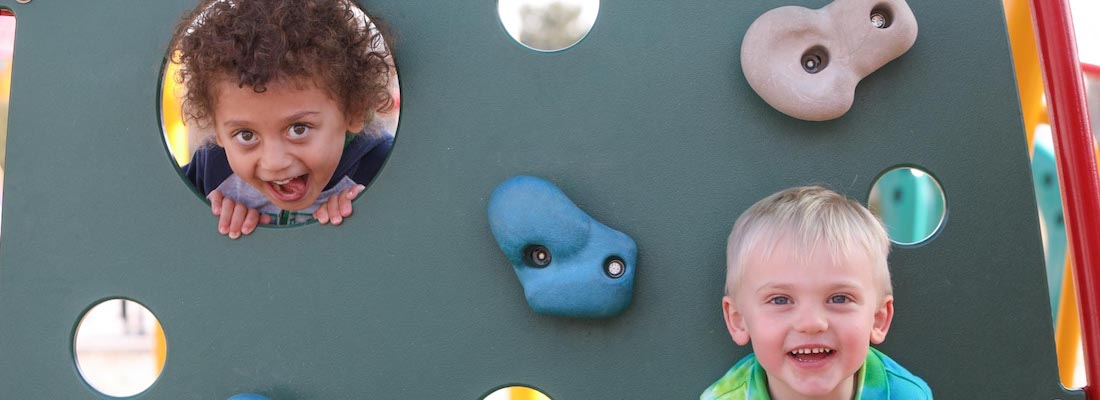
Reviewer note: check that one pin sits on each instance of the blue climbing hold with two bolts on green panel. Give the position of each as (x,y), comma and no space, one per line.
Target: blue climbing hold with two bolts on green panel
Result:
(575,280)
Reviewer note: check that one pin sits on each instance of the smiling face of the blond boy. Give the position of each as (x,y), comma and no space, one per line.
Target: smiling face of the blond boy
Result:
(810,319)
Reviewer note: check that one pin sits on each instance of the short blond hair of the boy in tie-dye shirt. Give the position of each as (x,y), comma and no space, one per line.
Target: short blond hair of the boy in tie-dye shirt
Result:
(809,216)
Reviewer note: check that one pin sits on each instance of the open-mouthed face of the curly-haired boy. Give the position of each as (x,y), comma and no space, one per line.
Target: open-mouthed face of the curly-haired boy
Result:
(287,141)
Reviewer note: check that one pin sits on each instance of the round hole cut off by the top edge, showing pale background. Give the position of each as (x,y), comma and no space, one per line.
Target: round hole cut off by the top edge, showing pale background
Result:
(548,26)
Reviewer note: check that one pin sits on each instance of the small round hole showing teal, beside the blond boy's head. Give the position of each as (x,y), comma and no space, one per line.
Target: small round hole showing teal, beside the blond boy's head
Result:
(910,203)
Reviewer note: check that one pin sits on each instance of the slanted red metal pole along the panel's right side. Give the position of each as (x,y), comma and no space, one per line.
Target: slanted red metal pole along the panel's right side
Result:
(1077,169)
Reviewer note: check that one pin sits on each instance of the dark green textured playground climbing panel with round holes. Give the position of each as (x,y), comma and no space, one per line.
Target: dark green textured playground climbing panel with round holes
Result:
(645,124)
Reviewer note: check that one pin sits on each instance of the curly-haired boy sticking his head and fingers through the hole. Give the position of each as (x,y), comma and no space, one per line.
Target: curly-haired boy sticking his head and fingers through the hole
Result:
(290,90)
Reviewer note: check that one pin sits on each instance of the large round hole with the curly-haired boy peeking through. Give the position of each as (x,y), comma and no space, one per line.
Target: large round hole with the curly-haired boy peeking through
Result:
(218,136)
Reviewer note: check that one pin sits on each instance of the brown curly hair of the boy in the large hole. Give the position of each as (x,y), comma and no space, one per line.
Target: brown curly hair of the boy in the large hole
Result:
(257,42)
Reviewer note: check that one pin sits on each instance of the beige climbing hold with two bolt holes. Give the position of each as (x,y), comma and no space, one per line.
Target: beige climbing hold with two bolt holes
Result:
(845,47)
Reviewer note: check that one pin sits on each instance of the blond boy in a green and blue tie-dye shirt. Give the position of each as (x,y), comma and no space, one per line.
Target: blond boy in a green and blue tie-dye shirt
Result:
(808,286)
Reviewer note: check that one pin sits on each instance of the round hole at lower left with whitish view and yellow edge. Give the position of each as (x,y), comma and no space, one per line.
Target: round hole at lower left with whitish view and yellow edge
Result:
(119,348)
